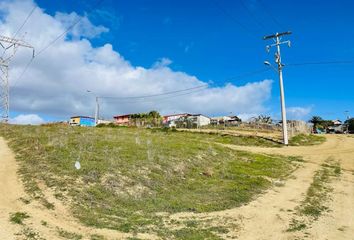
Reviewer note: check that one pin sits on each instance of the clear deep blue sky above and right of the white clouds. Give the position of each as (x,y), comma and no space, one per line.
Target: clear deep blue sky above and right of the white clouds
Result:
(205,39)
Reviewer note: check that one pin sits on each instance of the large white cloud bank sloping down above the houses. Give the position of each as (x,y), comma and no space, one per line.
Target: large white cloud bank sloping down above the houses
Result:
(57,81)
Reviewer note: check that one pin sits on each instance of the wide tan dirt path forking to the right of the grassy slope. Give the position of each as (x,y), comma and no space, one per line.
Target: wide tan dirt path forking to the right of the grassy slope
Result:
(268,217)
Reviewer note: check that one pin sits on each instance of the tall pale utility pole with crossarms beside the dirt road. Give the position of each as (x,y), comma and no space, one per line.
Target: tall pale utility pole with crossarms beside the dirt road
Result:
(277,39)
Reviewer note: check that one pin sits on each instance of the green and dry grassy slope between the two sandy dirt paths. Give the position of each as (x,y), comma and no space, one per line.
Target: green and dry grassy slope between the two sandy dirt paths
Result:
(132,180)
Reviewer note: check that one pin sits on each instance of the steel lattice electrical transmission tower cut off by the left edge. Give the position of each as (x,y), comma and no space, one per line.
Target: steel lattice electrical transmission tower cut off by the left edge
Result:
(10,45)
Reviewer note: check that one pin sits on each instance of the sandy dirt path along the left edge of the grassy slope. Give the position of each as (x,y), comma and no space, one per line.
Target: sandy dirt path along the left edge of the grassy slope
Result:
(43,223)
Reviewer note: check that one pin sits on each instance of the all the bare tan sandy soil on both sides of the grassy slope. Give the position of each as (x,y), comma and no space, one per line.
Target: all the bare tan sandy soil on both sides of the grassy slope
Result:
(267,217)
